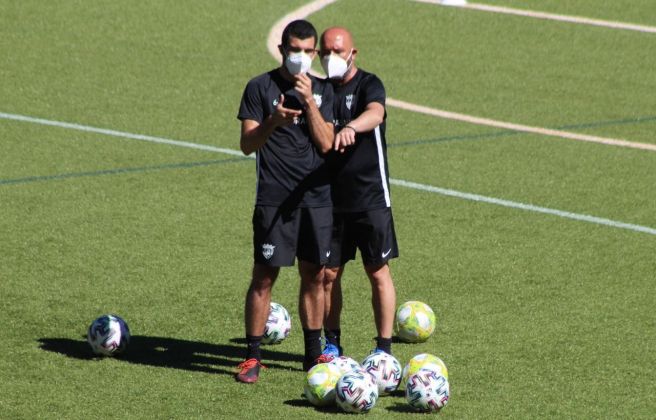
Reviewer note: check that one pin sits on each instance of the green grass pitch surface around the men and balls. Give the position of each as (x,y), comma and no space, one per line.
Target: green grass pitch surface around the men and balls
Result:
(539,315)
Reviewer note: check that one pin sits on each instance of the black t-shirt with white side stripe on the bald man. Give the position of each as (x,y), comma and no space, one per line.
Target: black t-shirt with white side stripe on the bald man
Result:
(360,179)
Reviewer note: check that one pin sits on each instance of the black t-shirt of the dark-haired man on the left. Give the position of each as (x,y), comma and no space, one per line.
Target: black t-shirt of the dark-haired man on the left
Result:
(291,171)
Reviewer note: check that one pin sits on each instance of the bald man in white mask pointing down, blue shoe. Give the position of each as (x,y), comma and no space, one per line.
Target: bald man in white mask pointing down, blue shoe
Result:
(360,189)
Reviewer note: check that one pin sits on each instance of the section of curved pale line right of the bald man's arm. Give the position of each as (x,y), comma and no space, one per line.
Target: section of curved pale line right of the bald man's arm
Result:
(519,127)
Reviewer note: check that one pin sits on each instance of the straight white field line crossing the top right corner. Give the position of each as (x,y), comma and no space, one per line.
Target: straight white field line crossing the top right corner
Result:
(544,15)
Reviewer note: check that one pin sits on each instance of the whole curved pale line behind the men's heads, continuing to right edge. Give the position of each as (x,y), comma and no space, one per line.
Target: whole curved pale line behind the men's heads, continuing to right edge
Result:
(275,35)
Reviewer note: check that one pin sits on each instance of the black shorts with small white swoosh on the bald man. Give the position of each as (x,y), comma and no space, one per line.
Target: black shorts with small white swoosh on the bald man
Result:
(372,232)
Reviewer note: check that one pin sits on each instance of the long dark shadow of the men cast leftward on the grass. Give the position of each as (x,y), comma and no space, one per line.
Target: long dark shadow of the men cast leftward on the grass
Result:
(174,353)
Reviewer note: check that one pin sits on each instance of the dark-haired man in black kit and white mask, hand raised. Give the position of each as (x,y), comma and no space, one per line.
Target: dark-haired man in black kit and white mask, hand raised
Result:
(286,118)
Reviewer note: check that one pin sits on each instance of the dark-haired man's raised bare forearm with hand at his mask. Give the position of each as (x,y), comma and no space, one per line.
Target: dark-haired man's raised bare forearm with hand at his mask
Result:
(322,132)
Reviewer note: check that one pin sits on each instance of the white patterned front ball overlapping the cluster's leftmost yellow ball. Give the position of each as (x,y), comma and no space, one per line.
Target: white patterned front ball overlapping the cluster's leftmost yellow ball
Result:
(356,391)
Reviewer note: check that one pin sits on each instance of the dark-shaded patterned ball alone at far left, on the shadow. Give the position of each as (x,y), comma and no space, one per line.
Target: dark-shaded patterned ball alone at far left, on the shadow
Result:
(108,335)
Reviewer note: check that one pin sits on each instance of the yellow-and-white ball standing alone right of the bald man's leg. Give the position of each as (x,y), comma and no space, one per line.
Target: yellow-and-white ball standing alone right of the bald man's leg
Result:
(415,322)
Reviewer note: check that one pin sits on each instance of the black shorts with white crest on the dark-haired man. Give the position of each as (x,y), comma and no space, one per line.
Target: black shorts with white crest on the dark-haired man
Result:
(280,236)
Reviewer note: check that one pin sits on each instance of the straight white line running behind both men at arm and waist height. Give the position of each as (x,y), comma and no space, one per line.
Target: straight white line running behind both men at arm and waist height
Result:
(399,182)
